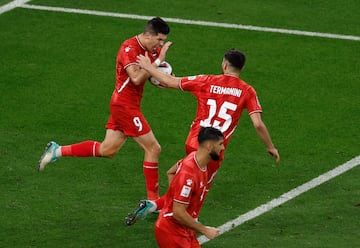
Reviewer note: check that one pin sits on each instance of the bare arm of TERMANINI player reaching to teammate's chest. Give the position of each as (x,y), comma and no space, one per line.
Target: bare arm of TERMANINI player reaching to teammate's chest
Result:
(165,80)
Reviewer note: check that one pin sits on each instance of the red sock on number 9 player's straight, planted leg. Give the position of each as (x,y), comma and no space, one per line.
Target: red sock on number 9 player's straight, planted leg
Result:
(152,179)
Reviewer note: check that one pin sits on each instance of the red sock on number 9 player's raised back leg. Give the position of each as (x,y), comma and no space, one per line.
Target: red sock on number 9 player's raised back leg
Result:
(88,148)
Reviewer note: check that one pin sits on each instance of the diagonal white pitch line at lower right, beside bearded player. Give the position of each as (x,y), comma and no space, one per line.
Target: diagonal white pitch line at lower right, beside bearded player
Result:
(285,197)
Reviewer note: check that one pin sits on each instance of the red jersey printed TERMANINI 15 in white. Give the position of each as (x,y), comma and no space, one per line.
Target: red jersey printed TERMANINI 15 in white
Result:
(221,101)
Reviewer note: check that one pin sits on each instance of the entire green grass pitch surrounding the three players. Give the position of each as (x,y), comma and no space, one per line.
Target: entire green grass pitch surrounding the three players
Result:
(57,76)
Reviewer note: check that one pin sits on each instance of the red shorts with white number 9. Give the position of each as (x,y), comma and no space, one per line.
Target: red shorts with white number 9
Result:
(129,121)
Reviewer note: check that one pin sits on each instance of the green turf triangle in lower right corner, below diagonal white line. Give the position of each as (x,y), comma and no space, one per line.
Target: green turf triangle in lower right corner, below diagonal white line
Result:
(324,217)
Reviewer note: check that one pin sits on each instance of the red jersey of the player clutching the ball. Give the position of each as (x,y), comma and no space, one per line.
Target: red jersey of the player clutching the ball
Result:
(126,93)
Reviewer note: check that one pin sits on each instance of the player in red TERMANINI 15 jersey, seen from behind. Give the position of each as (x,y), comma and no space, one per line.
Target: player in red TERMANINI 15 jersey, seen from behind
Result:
(221,100)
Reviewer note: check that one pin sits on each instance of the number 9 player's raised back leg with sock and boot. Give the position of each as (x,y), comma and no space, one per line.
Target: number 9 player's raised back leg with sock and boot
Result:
(113,141)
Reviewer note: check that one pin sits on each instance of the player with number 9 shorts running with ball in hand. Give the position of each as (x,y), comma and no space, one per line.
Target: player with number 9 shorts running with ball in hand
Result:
(126,119)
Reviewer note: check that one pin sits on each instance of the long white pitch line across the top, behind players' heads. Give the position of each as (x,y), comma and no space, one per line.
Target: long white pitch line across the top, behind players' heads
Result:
(196,22)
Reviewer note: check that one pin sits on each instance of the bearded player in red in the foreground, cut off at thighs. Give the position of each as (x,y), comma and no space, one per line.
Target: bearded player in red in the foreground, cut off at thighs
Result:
(177,223)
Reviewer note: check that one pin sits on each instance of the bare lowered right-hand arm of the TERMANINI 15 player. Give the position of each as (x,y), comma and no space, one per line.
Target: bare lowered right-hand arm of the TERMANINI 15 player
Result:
(264,135)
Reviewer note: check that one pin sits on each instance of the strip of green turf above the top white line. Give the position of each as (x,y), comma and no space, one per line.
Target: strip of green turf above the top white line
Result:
(319,16)
